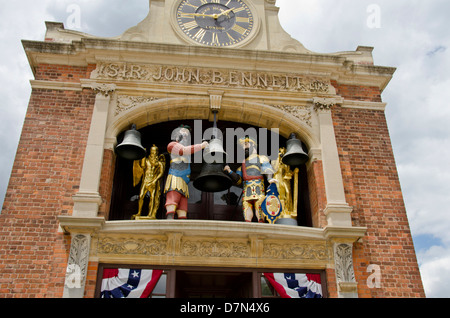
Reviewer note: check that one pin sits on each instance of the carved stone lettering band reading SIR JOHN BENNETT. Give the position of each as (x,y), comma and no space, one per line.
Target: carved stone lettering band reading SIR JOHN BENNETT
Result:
(213,77)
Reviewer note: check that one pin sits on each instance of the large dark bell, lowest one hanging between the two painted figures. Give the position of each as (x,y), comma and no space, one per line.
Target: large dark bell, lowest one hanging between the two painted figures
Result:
(213,179)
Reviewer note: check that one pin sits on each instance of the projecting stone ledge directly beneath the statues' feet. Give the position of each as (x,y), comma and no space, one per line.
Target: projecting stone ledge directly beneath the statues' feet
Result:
(199,228)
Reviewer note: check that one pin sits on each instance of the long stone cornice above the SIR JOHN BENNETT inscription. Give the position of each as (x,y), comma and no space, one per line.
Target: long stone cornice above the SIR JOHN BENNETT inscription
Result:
(93,51)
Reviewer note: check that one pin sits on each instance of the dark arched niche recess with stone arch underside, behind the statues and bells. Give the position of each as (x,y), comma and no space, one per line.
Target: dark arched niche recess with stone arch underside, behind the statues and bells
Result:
(156,119)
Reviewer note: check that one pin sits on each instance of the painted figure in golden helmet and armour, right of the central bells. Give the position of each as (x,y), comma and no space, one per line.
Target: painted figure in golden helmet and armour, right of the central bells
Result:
(251,177)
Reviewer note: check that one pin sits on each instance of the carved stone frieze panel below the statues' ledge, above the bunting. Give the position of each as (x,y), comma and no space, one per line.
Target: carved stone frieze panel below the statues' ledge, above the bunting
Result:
(179,246)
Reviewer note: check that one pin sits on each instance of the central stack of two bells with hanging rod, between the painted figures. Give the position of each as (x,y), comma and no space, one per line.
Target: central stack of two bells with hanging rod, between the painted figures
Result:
(212,178)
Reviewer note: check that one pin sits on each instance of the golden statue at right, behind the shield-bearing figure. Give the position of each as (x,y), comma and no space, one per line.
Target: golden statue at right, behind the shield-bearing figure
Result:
(283,175)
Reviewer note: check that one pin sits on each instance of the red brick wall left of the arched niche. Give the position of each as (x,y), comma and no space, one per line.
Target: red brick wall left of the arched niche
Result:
(45,176)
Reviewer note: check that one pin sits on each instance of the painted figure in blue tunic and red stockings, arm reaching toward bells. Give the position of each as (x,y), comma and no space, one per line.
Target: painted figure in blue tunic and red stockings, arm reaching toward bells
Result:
(176,189)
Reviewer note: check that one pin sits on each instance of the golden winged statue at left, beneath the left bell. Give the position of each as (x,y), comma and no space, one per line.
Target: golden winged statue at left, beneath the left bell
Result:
(151,171)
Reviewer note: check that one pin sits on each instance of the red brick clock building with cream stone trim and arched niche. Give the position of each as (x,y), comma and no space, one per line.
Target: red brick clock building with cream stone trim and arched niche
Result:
(68,209)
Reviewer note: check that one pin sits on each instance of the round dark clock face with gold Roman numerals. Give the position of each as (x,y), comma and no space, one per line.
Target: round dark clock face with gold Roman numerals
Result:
(215,22)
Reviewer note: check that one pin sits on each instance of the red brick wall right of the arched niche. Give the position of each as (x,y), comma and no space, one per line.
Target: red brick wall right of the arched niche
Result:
(373,189)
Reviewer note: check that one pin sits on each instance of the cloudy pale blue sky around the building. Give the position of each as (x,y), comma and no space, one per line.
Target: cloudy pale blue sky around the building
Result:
(411,35)
